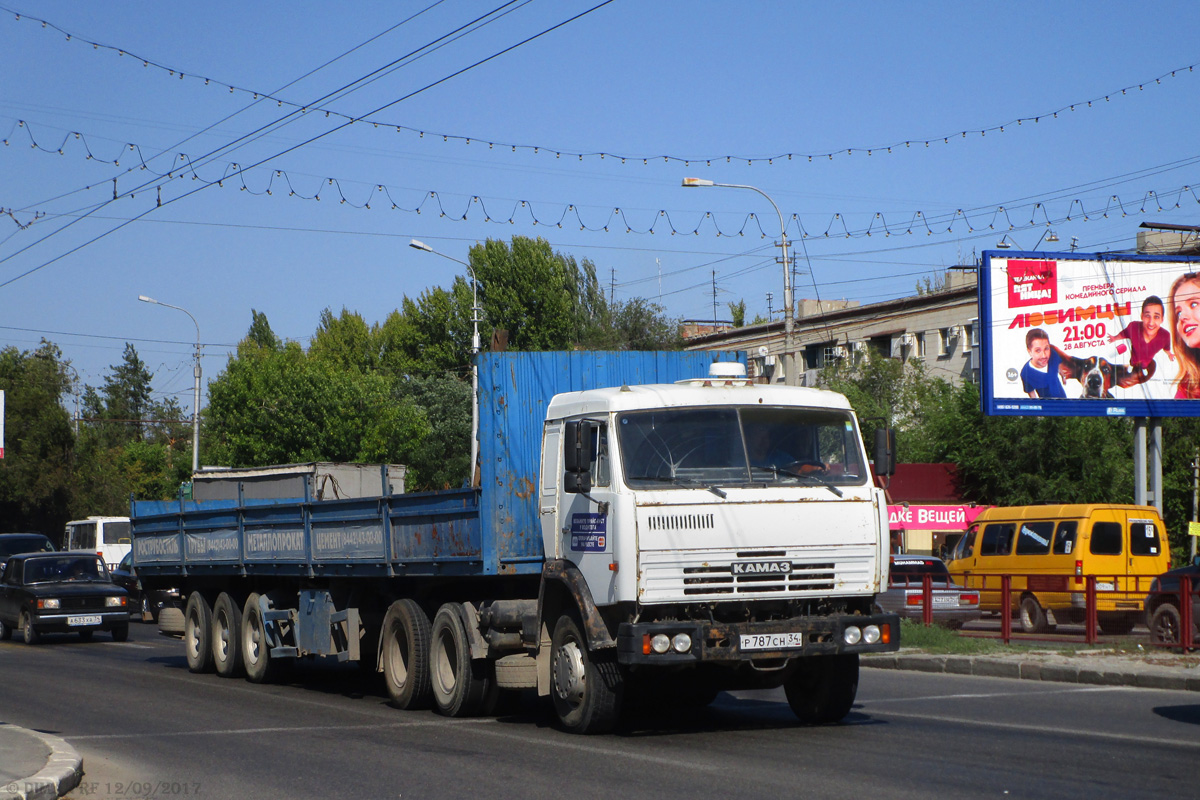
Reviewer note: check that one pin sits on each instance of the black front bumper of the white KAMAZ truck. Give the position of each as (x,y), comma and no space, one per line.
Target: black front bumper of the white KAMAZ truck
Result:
(722,642)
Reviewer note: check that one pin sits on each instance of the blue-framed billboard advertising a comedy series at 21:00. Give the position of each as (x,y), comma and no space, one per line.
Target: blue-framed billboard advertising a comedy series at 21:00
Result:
(1090,335)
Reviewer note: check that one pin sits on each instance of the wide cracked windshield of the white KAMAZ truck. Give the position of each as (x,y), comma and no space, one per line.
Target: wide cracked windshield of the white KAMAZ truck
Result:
(730,447)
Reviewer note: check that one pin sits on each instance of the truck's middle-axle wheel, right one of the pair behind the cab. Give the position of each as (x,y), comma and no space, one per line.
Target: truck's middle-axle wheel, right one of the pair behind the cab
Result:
(461,688)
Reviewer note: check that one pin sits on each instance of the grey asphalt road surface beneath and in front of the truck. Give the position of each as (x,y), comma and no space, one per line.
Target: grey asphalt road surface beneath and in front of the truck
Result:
(148,729)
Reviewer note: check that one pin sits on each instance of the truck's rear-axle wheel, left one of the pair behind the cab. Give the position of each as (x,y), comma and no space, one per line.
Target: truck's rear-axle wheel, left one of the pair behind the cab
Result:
(405,655)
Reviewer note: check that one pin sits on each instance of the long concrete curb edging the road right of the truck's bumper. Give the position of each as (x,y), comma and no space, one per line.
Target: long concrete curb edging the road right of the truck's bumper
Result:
(987,667)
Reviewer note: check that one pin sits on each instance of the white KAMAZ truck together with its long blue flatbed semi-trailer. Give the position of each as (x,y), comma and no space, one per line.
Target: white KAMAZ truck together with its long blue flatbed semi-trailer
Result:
(627,537)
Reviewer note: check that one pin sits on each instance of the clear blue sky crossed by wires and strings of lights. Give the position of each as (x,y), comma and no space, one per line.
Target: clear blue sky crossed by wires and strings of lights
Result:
(689,81)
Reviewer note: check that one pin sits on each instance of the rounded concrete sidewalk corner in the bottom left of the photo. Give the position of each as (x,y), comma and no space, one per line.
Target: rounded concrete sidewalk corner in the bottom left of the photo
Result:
(37,766)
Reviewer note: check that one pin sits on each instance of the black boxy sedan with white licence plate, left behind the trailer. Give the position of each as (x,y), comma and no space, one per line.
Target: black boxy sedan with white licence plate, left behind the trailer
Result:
(59,593)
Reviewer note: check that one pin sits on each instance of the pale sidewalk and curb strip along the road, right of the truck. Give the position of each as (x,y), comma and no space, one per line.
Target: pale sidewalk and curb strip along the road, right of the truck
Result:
(1101,666)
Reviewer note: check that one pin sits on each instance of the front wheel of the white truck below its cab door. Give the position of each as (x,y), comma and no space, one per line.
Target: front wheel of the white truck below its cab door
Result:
(587,688)
